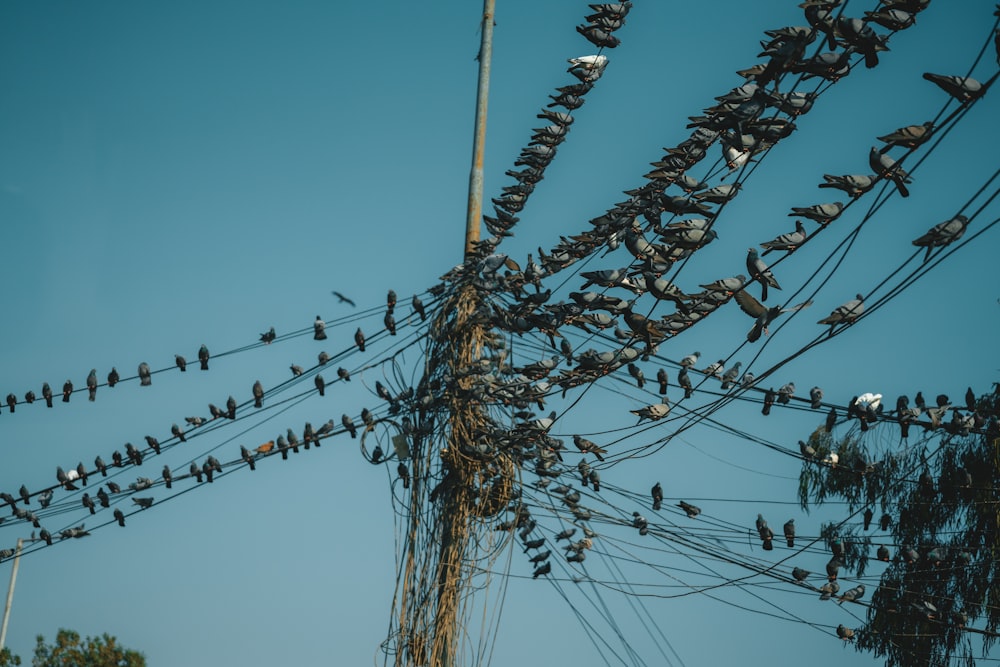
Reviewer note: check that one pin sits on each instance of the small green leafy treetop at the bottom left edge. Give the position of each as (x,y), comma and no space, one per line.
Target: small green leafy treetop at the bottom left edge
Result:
(70,651)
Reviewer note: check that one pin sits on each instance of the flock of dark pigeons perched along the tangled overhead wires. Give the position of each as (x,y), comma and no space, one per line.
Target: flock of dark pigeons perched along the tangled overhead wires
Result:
(739,125)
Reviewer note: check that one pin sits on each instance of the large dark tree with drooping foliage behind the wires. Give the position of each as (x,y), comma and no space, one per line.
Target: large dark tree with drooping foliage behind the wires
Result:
(936,499)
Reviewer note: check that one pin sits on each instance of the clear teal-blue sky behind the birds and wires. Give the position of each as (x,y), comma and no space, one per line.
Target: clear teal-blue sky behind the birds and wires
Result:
(188,173)
